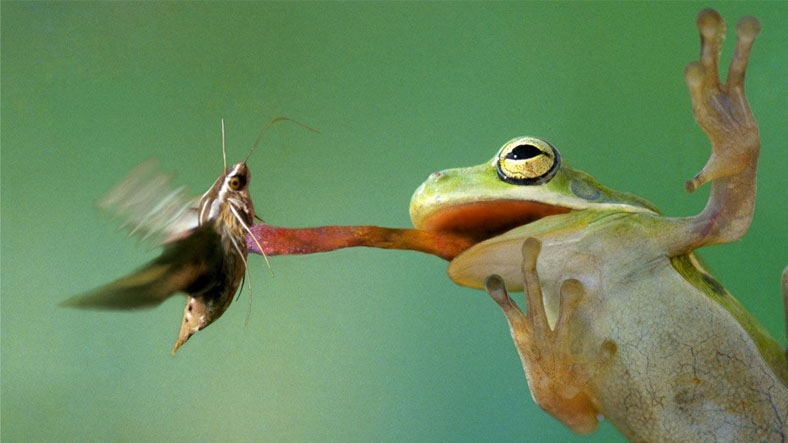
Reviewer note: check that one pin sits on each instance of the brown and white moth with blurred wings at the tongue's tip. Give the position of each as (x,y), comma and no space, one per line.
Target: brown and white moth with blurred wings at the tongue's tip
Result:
(205,243)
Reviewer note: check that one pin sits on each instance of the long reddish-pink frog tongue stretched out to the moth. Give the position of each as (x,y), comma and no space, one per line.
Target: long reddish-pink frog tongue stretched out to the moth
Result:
(290,241)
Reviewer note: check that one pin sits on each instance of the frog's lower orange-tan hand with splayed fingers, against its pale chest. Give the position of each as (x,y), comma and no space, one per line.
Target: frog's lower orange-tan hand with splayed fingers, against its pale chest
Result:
(556,378)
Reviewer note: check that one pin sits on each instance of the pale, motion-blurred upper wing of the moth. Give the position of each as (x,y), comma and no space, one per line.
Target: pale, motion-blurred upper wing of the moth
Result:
(152,209)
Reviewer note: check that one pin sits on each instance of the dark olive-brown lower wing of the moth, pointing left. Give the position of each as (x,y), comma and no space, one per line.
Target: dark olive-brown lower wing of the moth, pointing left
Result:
(186,265)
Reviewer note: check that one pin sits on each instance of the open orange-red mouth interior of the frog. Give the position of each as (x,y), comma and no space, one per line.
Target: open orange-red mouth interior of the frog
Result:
(479,221)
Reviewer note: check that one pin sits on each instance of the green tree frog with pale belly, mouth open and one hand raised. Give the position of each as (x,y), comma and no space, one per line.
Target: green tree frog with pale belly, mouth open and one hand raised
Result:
(623,321)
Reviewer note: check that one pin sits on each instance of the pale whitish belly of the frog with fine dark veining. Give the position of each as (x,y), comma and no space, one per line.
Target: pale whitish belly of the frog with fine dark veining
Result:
(684,369)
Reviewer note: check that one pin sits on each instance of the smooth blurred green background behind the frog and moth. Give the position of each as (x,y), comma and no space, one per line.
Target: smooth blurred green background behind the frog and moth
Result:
(359,344)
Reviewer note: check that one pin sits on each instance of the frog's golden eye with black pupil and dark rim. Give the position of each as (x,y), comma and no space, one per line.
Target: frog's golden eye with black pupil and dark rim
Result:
(527,161)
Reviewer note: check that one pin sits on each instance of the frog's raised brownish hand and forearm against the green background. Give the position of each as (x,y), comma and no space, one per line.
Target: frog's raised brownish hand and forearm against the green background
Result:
(724,115)
